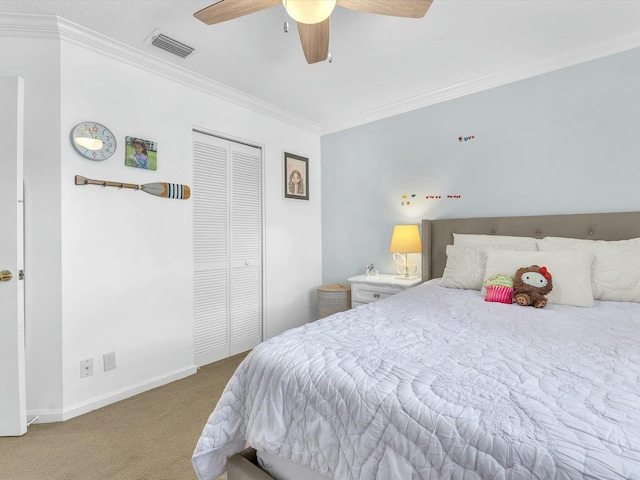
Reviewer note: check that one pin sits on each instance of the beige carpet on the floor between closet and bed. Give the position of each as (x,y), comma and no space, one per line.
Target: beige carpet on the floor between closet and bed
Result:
(147,437)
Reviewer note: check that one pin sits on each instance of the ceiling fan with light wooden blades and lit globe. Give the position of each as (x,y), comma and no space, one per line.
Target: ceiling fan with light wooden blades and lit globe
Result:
(313,16)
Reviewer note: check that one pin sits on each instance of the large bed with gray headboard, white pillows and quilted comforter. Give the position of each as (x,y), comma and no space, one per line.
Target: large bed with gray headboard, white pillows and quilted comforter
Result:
(435,382)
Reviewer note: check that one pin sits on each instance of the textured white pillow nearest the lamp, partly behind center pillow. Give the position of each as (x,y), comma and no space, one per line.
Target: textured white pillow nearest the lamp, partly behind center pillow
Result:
(466,265)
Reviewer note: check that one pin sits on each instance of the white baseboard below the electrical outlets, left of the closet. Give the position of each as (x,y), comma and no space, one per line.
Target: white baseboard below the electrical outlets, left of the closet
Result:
(50,416)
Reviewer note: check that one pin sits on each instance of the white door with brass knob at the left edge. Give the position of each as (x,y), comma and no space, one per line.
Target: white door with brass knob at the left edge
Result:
(13,410)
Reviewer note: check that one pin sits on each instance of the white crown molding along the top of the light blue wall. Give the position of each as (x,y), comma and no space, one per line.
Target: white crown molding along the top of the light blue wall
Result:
(628,41)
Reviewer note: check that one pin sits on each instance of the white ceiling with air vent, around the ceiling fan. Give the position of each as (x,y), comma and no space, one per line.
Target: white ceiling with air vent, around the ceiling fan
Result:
(381,65)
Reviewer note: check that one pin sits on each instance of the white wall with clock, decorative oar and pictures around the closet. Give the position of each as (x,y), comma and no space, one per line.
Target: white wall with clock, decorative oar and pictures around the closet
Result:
(122,260)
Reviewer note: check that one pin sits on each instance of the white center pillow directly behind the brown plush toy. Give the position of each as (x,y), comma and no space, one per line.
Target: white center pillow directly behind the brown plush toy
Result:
(570,272)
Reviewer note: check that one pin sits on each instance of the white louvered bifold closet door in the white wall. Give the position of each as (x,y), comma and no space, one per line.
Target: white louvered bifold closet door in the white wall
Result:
(227,200)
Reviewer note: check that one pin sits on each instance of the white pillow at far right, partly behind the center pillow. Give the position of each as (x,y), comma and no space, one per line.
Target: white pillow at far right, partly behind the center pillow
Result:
(615,271)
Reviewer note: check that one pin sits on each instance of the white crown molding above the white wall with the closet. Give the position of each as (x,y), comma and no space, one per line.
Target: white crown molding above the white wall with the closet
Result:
(49,26)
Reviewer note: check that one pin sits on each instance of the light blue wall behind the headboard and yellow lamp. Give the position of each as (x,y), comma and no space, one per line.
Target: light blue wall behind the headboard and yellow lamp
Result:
(563,142)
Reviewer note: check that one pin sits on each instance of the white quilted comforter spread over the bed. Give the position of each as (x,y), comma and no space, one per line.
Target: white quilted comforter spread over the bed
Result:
(437,383)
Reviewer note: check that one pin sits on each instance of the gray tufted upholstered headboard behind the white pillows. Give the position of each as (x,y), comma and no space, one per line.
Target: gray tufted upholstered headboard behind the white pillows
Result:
(437,234)
